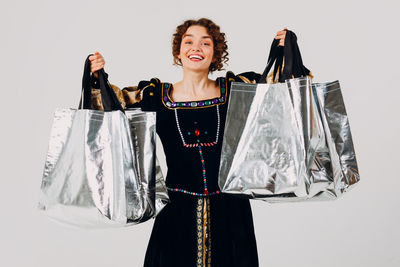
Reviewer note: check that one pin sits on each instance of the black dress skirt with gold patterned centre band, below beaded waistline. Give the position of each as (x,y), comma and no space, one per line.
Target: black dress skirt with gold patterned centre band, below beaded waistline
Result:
(207,231)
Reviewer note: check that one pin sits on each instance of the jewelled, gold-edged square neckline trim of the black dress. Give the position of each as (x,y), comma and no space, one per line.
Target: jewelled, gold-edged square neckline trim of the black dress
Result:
(170,104)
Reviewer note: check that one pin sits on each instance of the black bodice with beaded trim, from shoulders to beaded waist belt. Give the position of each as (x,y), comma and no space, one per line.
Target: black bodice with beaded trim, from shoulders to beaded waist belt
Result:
(191,133)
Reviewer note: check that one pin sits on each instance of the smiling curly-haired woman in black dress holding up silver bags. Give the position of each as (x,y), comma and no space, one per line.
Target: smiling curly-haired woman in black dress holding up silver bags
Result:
(200,226)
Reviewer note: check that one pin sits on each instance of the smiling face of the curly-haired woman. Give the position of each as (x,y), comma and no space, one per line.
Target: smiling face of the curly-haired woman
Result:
(197,49)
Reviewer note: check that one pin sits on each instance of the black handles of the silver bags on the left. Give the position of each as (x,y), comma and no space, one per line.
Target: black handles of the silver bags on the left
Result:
(108,97)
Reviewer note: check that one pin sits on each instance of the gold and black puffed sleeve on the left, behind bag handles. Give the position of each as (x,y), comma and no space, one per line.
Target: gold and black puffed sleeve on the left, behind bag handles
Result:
(142,96)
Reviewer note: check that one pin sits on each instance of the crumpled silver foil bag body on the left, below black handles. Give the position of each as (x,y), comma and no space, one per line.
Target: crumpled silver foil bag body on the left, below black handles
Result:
(101,169)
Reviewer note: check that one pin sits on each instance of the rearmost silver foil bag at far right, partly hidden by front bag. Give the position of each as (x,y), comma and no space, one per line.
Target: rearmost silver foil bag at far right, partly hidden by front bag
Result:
(335,164)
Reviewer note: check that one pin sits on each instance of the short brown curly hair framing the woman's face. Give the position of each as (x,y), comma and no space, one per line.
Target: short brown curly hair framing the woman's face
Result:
(218,37)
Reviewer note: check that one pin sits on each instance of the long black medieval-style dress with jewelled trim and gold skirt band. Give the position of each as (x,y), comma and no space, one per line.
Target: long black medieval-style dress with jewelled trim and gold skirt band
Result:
(200,226)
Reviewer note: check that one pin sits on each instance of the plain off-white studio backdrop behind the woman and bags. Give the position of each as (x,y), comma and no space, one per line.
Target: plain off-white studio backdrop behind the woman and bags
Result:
(43,48)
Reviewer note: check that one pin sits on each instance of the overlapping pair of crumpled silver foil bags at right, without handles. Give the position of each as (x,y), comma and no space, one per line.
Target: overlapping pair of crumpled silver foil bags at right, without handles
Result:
(287,142)
